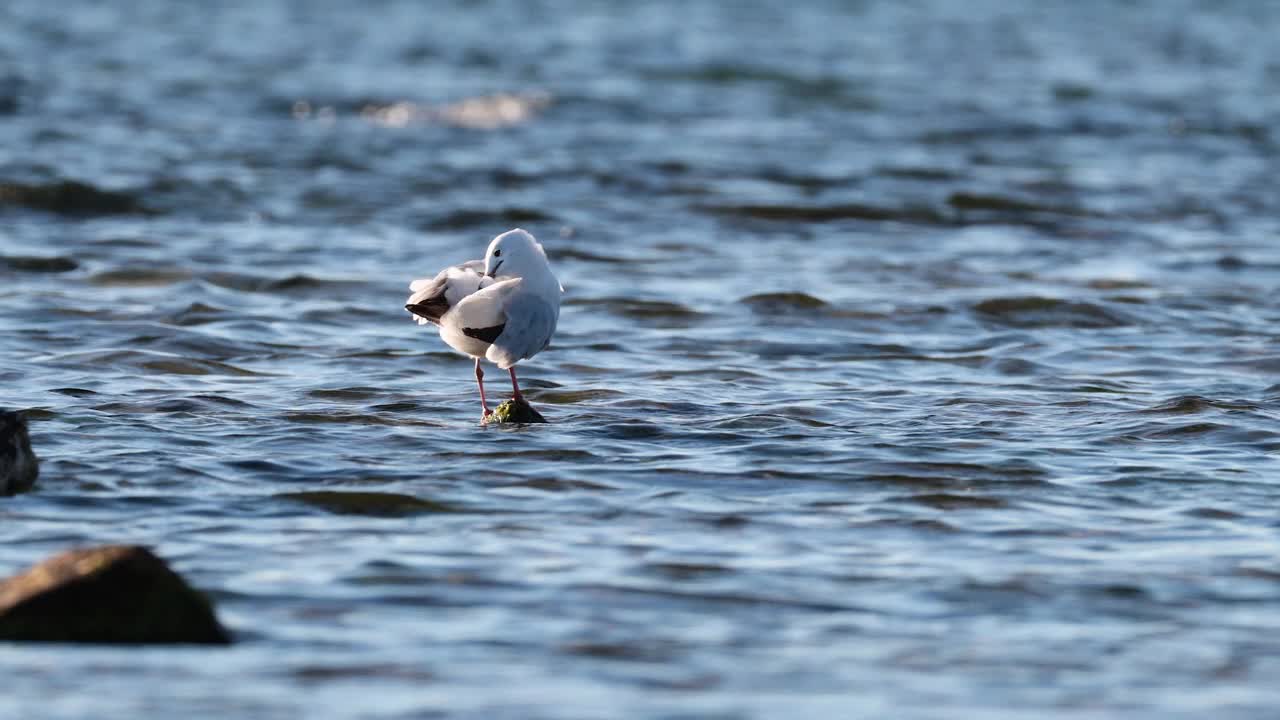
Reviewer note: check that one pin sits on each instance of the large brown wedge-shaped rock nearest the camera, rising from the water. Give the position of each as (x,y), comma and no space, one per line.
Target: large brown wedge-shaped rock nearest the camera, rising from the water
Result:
(106,595)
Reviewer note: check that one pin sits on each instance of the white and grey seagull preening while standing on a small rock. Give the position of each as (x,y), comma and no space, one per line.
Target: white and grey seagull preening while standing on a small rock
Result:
(502,309)
